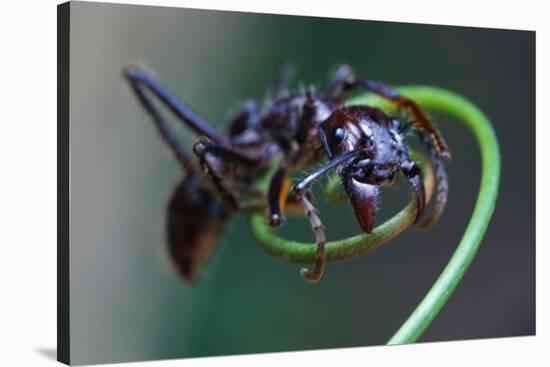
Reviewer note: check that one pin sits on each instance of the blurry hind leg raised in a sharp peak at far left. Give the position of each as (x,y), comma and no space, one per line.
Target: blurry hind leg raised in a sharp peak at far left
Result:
(140,80)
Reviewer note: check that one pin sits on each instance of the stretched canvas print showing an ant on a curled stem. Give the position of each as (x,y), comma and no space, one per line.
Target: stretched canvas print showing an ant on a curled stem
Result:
(192,142)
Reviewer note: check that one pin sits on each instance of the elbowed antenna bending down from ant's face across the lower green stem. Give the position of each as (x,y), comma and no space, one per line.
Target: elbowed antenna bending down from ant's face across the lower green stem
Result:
(303,195)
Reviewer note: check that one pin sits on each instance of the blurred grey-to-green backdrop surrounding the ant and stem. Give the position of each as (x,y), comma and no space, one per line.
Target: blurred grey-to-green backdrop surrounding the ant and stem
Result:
(126,305)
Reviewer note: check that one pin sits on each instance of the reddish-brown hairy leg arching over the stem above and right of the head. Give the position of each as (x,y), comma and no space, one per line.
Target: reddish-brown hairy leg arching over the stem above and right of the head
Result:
(420,120)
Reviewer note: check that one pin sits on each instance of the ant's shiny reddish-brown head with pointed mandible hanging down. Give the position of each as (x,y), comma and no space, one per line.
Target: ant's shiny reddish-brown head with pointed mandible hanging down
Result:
(379,151)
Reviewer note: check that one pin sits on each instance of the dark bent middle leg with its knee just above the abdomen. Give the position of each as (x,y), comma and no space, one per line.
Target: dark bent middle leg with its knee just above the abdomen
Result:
(201,149)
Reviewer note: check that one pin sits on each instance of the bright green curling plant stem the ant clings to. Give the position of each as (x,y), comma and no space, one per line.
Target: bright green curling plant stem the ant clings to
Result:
(456,106)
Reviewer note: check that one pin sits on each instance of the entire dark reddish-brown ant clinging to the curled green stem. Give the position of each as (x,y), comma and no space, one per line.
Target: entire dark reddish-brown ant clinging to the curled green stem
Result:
(293,131)
